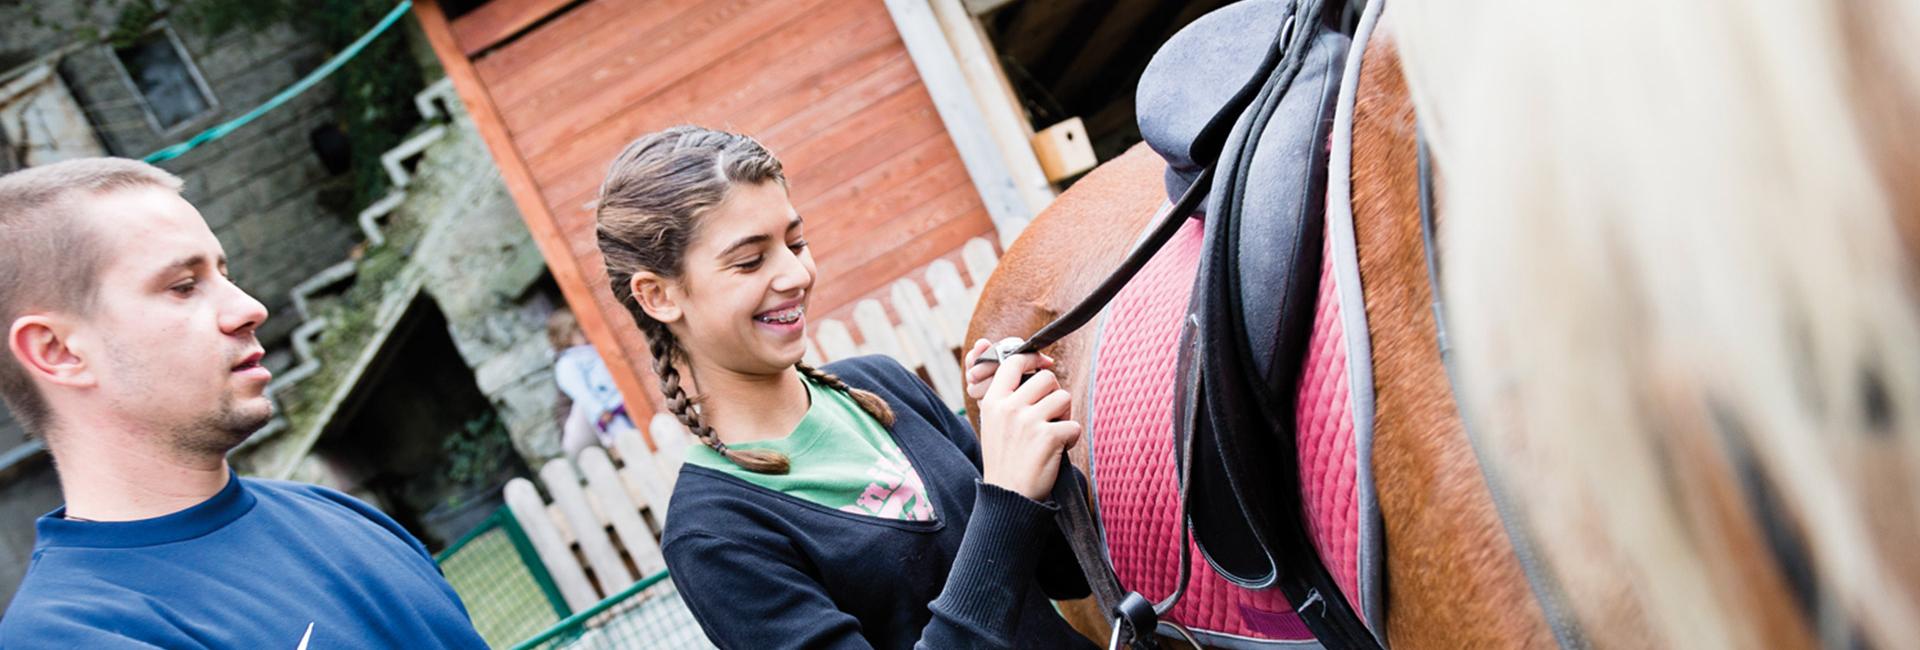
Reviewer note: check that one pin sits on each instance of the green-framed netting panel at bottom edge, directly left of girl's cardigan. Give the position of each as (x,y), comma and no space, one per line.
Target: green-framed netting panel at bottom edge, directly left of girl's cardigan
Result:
(644,616)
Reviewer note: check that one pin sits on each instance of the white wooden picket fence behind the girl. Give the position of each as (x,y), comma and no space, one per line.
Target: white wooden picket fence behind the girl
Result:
(602,530)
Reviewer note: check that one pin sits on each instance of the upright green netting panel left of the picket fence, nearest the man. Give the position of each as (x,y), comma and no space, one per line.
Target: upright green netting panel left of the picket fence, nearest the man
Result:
(502,582)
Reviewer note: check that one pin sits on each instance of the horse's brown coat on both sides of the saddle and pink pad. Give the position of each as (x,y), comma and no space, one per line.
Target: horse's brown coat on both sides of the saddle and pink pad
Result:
(1452,574)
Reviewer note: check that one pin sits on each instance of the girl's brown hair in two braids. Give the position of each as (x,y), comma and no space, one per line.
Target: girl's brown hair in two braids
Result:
(648,210)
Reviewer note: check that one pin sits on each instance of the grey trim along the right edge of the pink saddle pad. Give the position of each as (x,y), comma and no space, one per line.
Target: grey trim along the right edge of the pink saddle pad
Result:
(1345,250)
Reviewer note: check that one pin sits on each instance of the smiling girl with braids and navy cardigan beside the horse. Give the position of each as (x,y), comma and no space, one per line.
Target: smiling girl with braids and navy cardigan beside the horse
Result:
(836,507)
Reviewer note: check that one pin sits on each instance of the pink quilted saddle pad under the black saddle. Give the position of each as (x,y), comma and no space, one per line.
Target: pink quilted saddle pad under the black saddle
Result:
(1134,475)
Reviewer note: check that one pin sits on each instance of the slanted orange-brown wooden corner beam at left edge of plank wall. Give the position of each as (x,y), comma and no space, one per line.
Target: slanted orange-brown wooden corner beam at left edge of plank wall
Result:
(535,212)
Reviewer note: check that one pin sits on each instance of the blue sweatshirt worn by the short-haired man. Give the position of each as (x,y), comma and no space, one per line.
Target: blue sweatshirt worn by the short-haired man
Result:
(262,565)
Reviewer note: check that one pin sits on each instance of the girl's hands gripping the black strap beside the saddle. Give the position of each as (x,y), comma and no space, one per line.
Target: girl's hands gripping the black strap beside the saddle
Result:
(1024,427)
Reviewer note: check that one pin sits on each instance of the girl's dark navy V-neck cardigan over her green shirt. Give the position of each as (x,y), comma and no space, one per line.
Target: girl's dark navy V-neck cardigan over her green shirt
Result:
(769,570)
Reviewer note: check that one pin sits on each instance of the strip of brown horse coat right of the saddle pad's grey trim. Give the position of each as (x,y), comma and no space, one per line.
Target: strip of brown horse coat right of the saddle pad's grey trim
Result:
(1452,574)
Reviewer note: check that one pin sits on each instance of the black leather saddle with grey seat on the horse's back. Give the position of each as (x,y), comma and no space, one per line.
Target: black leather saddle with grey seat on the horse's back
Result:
(1255,296)
